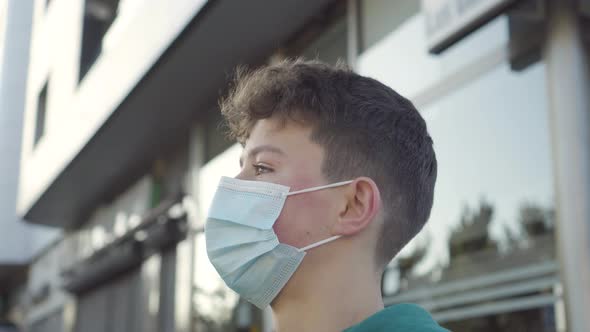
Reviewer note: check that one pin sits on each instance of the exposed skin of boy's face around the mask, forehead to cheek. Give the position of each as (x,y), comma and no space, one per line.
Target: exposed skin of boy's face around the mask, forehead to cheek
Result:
(286,155)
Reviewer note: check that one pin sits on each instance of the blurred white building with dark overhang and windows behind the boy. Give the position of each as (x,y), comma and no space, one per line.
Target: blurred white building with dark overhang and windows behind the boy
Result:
(121,152)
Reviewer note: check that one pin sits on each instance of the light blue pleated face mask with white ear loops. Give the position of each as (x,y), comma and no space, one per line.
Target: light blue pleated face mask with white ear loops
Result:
(241,243)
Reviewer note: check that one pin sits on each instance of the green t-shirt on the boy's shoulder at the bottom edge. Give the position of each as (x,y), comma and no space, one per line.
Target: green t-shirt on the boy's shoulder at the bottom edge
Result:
(403,317)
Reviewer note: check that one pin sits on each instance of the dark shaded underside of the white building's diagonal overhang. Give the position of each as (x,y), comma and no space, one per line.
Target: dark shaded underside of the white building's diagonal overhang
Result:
(183,85)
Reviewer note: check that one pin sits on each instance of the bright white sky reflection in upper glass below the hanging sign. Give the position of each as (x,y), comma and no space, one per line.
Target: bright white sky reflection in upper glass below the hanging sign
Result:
(401,60)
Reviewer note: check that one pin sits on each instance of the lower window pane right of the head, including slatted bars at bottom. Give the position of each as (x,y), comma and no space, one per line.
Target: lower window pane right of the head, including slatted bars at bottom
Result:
(487,254)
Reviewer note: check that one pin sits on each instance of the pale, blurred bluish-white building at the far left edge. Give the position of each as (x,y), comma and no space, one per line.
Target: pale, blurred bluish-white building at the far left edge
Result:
(19,242)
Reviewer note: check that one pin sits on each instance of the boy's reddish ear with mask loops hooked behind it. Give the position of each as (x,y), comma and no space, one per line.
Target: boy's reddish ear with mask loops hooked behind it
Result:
(362,205)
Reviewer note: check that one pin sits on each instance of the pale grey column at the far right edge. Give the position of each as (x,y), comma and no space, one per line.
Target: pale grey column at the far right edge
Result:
(569,97)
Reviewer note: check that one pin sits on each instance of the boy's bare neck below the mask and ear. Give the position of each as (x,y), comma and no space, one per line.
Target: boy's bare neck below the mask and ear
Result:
(338,296)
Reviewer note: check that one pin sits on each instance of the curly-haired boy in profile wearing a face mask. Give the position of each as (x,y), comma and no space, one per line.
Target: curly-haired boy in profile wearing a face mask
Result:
(338,174)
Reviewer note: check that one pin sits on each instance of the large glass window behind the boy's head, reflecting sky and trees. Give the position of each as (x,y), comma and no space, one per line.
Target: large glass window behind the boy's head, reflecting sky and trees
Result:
(486,260)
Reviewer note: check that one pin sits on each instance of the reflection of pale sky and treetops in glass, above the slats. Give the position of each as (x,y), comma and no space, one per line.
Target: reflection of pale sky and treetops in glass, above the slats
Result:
(494,163)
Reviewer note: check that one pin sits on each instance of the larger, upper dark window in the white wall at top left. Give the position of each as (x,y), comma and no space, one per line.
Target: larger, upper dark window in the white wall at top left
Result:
(98,17)
